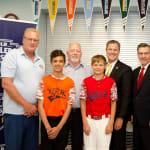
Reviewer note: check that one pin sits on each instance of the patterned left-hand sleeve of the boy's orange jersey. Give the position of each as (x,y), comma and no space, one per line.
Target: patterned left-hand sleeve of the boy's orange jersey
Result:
(39,93)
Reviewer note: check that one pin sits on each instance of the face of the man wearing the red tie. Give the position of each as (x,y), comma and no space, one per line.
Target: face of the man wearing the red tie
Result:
(144,55)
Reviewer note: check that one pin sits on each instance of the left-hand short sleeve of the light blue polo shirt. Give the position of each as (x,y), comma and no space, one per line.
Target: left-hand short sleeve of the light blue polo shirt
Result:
(8,66)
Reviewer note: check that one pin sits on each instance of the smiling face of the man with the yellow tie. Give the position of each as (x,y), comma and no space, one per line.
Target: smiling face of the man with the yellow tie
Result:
(112,52)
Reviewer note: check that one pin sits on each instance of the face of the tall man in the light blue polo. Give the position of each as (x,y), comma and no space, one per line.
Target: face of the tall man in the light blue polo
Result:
(30,41)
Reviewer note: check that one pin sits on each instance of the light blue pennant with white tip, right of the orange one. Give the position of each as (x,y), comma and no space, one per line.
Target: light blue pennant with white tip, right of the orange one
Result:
(88,9)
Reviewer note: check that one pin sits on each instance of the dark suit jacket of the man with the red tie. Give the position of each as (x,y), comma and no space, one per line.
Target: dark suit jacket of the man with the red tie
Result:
(141,98)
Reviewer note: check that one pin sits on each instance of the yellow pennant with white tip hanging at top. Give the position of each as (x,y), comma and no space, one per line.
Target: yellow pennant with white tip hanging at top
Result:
(53,5)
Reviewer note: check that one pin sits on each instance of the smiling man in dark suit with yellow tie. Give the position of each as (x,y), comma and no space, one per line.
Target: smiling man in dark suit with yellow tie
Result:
(122,74)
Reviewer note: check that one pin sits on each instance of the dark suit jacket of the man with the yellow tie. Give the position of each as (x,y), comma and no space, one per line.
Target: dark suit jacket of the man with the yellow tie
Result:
(122,74)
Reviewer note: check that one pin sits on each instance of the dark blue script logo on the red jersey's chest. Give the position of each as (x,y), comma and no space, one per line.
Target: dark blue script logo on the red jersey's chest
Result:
(97,94)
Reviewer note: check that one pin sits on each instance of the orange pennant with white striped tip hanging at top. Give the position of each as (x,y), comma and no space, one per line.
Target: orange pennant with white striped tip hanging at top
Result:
(70,5)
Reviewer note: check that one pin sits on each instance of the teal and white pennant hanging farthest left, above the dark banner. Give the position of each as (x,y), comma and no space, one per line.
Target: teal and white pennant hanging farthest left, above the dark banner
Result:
(36,5)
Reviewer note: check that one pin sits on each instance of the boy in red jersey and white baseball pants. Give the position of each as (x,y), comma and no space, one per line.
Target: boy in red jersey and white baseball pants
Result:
(98,106)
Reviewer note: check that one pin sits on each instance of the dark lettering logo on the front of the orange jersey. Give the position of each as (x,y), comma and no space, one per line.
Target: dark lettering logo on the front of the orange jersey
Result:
(56,93)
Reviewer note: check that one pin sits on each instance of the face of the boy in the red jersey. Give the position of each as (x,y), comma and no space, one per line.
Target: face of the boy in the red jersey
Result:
(99,67)
